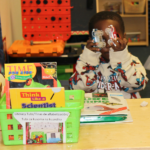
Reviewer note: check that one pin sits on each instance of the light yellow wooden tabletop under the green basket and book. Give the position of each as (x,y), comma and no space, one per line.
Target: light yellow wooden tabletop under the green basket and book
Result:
(122,136)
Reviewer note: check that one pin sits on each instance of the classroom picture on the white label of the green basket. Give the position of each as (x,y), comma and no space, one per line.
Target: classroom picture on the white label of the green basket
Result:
(44,132)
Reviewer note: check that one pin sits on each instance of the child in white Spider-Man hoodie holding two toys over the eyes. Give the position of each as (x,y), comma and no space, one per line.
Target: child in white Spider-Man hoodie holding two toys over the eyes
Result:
(111,69)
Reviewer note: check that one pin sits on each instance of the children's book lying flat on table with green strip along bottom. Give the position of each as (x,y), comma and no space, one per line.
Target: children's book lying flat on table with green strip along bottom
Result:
(107,105)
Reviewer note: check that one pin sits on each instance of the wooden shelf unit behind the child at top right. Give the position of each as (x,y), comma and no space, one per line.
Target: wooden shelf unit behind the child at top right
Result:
(133,22)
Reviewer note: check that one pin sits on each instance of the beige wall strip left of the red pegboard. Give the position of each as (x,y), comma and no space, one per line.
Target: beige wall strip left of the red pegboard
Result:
(10,11)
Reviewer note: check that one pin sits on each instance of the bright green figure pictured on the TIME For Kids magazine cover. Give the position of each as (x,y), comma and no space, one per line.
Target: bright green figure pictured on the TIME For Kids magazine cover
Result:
(30,83)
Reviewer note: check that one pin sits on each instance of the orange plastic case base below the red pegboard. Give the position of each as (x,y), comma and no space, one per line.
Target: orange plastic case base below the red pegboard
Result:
(22,48)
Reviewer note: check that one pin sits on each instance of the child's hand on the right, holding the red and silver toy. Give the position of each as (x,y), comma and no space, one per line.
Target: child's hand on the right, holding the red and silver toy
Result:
(119,44)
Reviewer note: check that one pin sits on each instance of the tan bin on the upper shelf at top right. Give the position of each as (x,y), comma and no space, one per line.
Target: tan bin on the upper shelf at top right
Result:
(134,6)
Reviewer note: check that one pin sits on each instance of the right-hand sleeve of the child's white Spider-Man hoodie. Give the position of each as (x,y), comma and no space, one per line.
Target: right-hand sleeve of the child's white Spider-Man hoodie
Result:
(131,73)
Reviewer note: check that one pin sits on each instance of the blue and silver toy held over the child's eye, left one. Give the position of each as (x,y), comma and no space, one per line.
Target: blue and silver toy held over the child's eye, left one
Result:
(97,37)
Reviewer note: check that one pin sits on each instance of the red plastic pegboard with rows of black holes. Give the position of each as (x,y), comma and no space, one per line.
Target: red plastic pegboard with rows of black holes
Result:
(44,20)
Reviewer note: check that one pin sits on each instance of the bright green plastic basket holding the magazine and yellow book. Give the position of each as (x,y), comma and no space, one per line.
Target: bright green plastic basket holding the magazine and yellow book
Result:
(72,124)
